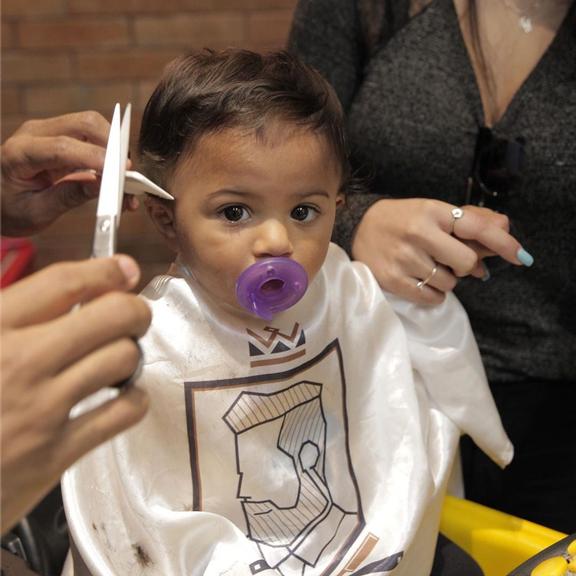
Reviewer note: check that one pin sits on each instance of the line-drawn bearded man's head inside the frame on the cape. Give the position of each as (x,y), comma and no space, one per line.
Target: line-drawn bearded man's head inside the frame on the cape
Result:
(280,447)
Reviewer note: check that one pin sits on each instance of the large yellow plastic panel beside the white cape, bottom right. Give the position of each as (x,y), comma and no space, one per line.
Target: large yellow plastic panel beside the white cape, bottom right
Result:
(497,541)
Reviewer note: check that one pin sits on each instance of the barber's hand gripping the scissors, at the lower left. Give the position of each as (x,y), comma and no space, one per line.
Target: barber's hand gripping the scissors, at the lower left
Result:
(51,359)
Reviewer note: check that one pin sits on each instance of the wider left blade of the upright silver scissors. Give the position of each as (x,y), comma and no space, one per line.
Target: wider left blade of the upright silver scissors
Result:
(107,211)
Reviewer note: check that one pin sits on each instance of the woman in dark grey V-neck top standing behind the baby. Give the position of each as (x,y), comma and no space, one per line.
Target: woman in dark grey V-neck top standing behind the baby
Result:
(472,102)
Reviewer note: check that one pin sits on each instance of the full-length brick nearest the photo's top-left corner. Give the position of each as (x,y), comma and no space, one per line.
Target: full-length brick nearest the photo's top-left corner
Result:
(73,32)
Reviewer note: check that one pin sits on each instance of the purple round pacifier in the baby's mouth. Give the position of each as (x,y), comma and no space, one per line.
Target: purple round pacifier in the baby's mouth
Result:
(270,286)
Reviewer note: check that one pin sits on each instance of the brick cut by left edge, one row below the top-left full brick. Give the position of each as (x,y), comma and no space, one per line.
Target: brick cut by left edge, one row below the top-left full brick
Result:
(25,67)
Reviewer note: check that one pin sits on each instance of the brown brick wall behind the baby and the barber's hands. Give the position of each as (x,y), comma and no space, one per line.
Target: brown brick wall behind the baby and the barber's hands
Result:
(61,56)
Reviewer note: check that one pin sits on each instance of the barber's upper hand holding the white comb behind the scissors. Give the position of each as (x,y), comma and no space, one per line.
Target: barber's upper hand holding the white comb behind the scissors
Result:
(48,167)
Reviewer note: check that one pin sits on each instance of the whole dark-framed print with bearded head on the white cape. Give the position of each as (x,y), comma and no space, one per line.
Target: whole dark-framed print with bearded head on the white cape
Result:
(271,454)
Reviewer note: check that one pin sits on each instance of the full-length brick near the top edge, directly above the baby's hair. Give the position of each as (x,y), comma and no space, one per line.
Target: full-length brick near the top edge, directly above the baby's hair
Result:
(191,31)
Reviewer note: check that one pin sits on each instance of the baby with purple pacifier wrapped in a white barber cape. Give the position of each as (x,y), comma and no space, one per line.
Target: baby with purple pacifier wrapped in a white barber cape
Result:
(301,423)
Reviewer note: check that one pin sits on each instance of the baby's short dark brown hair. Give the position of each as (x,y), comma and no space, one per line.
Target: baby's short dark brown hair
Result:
(208,91)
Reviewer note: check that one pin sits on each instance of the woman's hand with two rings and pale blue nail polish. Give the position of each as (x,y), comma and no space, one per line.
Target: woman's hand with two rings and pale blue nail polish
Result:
(403,240)
